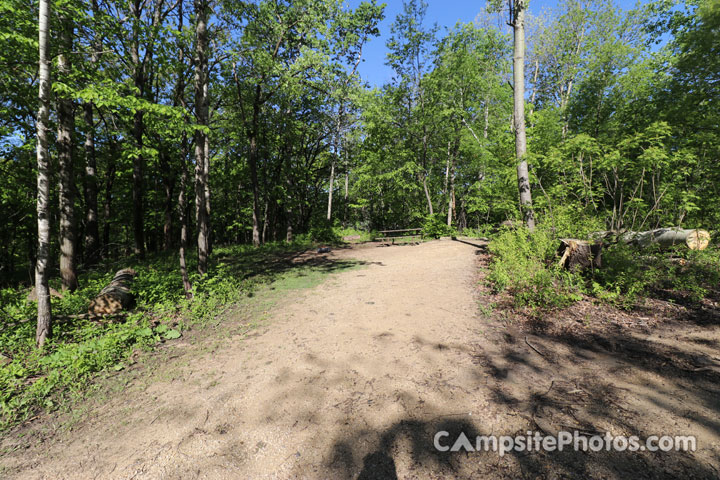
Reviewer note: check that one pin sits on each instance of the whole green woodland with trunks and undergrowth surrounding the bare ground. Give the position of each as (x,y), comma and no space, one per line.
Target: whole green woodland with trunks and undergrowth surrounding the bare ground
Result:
(192,141)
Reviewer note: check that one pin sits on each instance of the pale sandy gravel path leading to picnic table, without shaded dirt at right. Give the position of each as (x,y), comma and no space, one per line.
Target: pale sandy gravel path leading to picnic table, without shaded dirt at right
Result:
(351,380)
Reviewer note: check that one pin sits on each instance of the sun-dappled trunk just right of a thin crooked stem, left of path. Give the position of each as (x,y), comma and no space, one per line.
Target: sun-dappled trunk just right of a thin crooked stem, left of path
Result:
(201,145)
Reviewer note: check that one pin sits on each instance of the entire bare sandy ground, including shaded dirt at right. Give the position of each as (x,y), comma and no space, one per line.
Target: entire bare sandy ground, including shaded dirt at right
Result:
(353,378)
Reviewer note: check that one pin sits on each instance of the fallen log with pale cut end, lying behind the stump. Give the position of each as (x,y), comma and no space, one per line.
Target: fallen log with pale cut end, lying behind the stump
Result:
(694,239)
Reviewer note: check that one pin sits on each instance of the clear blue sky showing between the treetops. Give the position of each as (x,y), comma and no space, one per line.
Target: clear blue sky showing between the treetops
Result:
(446,13)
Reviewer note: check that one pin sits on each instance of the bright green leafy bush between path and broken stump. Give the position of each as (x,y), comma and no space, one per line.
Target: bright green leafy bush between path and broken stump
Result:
(522,264)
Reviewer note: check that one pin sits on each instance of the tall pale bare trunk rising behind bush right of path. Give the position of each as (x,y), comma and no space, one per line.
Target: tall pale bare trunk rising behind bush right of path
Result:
(519,112)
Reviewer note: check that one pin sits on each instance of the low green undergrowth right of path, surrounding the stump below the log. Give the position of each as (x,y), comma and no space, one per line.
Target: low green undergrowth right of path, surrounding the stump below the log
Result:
(525,265)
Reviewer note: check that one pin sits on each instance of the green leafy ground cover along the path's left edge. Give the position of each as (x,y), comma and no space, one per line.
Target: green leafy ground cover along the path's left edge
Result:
(32,381)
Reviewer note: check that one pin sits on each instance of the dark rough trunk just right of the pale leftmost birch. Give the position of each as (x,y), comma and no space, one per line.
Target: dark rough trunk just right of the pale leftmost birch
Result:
(66,127)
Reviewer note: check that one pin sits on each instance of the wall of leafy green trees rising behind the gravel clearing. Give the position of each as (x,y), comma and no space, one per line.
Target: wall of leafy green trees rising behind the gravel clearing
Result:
(256,114)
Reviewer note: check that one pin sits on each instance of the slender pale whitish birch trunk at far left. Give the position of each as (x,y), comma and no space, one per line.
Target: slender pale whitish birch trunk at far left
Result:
(44,314)
